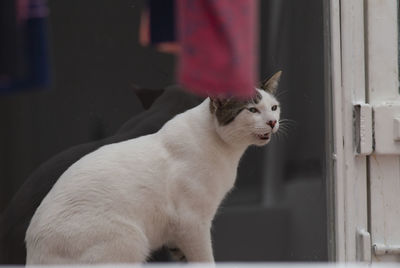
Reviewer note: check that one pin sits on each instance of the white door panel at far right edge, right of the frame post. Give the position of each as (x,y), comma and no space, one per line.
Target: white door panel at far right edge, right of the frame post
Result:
(383,86)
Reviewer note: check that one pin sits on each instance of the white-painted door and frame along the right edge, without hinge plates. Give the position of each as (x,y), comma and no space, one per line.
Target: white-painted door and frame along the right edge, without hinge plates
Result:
(363,68)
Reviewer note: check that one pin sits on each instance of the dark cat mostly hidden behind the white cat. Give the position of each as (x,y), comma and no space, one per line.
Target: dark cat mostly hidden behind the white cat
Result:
(160,106)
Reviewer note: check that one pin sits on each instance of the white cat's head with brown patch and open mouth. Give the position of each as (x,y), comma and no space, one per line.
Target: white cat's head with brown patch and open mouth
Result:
(251,121)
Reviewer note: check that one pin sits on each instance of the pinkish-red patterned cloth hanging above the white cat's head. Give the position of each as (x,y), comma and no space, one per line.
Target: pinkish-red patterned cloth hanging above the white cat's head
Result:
(218,55)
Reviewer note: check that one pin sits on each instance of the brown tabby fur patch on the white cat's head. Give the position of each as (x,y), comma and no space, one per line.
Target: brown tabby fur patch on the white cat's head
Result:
(226,110)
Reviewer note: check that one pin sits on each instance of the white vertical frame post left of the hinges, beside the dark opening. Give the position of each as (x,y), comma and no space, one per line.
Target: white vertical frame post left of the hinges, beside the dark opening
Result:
(348,88)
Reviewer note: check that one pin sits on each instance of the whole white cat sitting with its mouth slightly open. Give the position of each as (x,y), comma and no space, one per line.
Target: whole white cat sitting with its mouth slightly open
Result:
(124,200)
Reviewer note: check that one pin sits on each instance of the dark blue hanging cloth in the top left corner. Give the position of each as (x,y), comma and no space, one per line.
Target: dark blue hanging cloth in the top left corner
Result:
(24,60)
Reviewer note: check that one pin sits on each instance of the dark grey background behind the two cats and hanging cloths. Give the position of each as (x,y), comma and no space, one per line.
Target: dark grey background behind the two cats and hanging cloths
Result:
(277,211)
